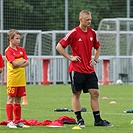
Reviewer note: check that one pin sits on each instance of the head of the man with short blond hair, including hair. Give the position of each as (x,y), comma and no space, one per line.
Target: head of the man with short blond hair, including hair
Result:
(85,18)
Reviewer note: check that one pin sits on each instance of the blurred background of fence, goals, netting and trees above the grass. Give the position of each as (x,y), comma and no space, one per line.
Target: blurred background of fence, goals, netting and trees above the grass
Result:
(44,22)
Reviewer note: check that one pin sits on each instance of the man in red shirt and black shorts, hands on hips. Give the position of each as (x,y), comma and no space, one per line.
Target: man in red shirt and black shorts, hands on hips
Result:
(82,40)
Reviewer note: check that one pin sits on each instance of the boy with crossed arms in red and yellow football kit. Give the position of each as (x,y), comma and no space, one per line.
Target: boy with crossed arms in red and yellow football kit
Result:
(17,60)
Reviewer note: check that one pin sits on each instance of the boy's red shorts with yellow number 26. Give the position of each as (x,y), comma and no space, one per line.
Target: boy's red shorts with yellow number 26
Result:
(16,91)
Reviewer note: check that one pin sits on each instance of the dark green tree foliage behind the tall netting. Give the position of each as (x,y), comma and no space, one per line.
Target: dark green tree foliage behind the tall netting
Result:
(50,14)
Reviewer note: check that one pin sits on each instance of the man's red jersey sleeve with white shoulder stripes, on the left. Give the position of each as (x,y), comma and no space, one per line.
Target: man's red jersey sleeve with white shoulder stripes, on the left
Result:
(67,40)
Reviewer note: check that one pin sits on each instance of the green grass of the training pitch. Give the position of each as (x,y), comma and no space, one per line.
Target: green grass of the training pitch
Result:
(42,100)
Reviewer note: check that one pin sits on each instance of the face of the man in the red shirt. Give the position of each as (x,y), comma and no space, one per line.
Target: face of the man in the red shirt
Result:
(86,20)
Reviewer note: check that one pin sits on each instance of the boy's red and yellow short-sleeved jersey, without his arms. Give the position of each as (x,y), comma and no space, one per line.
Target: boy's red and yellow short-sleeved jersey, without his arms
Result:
(15,76)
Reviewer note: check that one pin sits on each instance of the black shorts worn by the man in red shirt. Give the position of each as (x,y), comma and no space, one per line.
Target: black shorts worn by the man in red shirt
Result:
(80,81)
